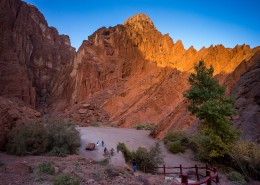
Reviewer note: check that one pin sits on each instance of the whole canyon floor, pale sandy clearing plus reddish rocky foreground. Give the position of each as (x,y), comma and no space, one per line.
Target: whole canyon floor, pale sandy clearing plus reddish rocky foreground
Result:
(87,165)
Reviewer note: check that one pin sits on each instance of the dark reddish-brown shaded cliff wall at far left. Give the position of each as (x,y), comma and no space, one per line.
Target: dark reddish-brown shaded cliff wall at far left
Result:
(31,54)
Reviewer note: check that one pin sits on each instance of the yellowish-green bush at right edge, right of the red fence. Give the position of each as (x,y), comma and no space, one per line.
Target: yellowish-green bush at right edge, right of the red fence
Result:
(246,158)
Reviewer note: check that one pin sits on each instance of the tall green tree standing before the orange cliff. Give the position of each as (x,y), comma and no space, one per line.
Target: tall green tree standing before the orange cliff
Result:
(209,103)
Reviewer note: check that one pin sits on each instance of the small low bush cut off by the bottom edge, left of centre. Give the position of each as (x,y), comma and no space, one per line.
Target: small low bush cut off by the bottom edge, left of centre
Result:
(65,179)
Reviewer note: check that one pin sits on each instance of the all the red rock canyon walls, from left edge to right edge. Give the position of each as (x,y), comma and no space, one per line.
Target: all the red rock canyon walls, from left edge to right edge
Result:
(122,76)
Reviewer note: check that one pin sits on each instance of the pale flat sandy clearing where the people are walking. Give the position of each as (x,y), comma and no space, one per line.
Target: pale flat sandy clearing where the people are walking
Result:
(132,138)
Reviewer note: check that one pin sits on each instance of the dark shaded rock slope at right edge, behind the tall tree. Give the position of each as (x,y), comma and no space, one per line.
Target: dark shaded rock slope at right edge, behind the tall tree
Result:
(245,83)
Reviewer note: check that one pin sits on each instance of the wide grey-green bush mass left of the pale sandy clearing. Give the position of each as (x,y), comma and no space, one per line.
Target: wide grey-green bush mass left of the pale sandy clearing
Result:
(54,137)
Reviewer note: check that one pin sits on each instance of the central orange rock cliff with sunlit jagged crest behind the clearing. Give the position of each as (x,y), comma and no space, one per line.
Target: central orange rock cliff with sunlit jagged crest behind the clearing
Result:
(133,74)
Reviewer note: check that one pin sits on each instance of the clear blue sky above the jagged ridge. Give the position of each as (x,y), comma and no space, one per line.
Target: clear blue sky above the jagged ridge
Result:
(195,22)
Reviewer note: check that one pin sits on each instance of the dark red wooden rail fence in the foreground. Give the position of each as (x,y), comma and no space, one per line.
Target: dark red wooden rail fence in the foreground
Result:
(209,175)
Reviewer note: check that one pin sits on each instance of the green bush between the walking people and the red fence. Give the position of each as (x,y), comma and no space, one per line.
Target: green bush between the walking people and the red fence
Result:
(145,159)
